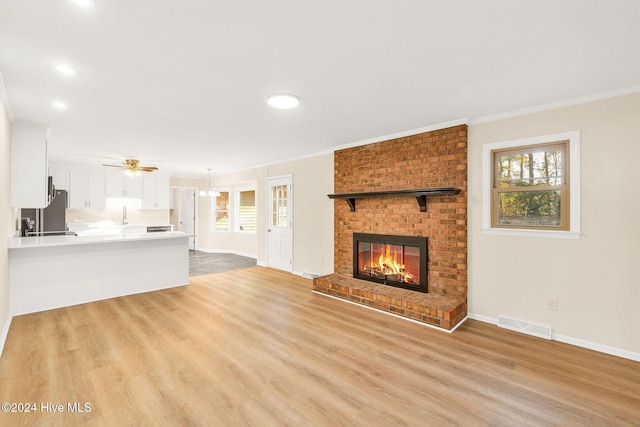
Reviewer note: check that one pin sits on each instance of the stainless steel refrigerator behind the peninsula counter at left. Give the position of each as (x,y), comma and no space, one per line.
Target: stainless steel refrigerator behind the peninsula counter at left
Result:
(49,220)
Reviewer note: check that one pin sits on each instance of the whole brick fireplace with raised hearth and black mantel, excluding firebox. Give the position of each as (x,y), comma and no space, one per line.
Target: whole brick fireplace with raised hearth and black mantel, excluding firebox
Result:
(376,194)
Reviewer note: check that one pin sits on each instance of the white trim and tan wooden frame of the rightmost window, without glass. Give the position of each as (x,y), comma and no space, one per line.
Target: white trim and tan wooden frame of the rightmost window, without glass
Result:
(571,206)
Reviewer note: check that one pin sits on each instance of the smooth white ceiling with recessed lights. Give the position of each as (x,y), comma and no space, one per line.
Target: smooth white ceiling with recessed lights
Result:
(183,84)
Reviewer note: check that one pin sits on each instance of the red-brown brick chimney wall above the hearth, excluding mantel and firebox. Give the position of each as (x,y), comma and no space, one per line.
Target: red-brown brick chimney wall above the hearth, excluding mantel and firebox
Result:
(432,159)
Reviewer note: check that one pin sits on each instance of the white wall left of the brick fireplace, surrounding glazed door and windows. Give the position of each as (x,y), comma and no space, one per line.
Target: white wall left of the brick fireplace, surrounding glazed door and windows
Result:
(312,180)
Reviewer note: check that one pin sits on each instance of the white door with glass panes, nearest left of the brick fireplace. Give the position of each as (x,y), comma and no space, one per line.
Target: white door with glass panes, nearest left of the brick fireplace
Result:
(279,223)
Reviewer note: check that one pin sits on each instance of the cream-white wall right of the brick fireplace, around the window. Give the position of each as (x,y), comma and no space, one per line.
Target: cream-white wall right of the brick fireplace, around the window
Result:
(596,279)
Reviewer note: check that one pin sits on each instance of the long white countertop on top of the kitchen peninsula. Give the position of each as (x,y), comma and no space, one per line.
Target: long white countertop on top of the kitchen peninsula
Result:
(47,241)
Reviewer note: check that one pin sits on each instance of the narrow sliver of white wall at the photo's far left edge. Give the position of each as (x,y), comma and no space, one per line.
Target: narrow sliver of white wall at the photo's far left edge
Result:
(7,221)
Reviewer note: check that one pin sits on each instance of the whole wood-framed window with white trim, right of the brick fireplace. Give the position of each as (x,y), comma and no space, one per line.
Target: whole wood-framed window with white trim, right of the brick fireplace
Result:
(531,186)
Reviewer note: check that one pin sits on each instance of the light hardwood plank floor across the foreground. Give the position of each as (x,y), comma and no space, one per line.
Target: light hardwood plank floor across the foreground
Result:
(257,347)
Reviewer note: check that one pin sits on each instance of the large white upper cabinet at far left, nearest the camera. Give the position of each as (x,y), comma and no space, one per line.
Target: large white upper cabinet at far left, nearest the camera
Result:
(29,169)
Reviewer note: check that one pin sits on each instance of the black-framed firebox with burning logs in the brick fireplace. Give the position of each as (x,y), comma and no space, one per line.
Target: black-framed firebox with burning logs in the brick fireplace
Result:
(399,261)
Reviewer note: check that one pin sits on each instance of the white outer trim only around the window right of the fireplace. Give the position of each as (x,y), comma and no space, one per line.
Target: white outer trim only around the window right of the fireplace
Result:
(574,179)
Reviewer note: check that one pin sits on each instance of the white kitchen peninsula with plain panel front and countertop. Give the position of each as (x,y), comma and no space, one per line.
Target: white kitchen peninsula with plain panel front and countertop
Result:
(58,271)
